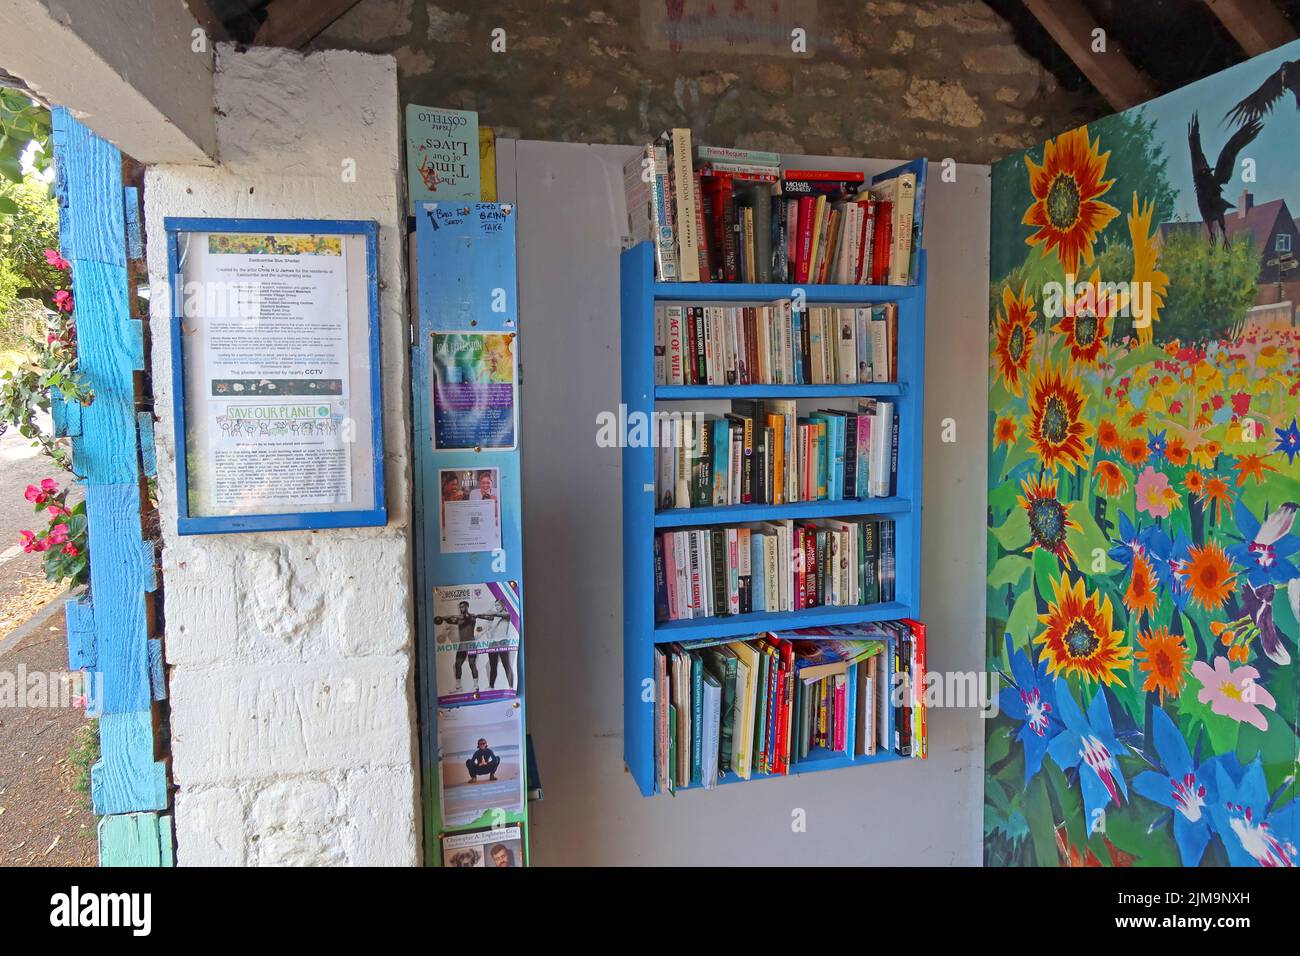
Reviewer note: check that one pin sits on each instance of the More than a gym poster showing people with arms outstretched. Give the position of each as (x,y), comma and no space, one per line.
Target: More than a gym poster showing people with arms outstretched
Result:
(476,642)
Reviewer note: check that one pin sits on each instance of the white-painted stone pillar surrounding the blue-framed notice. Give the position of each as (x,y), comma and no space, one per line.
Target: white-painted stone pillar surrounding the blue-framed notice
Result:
(291,655)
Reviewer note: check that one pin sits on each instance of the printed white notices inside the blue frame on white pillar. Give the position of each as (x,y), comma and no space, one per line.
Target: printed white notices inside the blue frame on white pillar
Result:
(275,371)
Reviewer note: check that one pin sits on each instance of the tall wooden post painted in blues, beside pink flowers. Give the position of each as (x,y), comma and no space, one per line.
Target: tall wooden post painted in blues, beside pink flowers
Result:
(109,629)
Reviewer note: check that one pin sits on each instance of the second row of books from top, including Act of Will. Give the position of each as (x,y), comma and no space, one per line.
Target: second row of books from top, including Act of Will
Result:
(775,344)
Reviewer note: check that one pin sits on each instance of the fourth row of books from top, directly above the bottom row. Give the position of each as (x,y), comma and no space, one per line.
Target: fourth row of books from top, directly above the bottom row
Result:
(774,566)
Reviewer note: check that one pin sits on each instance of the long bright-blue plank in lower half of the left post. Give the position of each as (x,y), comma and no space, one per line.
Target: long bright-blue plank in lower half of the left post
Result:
(119,577)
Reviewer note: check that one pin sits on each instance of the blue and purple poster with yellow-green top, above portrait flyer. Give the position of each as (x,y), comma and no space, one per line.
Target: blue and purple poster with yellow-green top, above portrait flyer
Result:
(475,400)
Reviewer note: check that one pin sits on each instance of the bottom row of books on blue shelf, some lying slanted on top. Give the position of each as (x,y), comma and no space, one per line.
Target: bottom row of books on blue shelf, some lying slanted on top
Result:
(764,704)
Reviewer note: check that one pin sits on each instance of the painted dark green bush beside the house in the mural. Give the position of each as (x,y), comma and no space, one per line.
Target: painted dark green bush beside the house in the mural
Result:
(1211,287)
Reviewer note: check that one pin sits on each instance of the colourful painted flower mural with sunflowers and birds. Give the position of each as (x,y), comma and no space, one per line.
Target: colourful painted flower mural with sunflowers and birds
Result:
(1143,548)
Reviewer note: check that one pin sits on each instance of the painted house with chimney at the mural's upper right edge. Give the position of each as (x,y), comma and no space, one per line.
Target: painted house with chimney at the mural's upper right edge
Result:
(1273,231)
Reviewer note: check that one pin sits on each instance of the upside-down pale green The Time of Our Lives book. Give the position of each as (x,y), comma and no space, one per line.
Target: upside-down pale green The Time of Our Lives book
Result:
(443,155)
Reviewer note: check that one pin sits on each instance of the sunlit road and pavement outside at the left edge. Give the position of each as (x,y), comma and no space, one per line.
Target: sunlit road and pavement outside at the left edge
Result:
(44,823)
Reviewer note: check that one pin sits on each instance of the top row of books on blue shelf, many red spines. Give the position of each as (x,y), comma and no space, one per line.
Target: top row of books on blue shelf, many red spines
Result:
(722,215)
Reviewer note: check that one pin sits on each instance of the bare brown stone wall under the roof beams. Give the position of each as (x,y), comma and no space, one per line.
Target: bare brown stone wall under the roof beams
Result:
(881,79)
